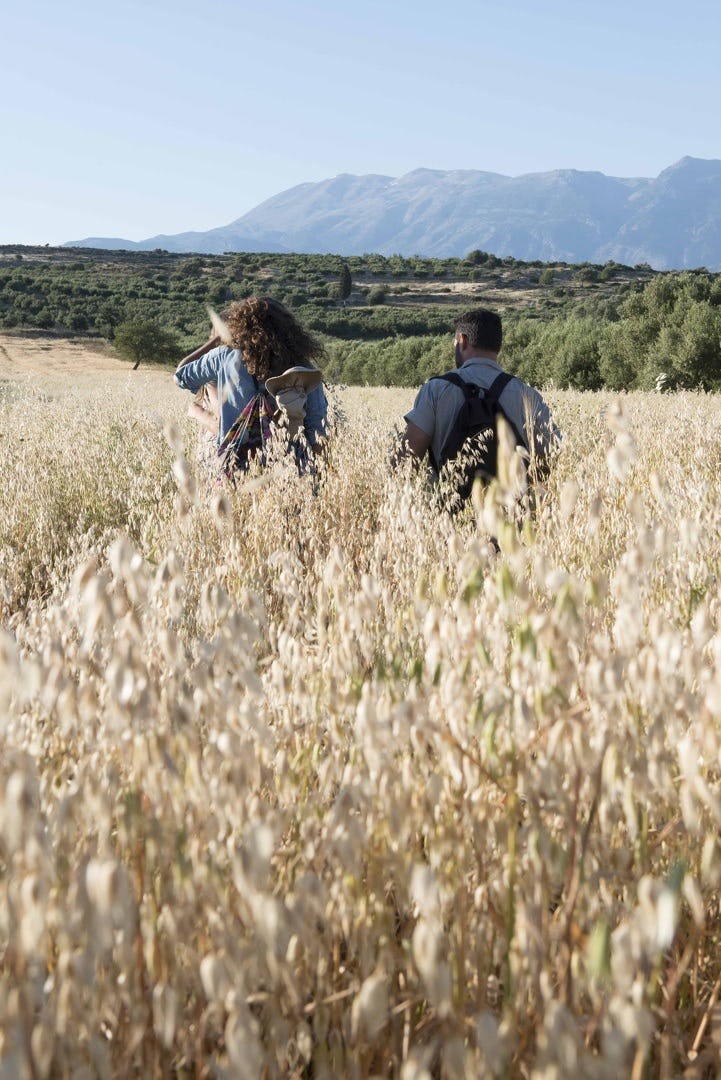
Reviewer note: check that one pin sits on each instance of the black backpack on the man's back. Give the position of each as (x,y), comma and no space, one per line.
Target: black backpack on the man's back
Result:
(474,433)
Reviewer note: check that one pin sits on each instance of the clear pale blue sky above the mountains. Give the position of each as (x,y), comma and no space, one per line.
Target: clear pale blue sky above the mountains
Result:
(162,116)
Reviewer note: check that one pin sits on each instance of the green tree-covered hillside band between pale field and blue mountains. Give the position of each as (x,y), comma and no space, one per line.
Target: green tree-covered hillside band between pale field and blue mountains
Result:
(583,327)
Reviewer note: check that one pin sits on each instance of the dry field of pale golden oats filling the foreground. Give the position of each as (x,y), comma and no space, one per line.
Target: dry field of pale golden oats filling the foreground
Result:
(305,779)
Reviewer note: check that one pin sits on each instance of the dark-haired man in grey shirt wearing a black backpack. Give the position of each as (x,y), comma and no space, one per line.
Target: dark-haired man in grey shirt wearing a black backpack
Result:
(455,415)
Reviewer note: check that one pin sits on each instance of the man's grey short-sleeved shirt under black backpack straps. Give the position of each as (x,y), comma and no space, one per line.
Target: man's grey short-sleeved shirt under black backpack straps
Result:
(439,402)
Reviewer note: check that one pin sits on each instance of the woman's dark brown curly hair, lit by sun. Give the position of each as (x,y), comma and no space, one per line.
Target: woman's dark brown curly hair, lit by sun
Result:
(270,339)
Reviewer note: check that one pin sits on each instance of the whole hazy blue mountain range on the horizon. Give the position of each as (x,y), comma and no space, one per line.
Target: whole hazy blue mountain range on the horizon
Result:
(673,222)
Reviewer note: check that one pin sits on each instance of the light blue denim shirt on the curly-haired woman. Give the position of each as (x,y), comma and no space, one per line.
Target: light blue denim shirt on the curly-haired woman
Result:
(237,387)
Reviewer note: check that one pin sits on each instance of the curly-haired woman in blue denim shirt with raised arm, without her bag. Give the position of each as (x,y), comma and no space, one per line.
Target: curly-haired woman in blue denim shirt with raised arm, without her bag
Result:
(263,342)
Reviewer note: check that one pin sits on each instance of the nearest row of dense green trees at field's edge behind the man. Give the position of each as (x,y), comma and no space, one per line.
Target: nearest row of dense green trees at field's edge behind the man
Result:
(665,335)
